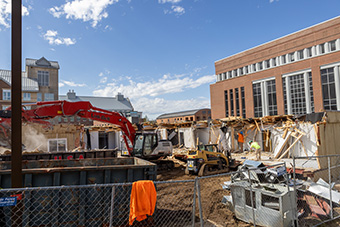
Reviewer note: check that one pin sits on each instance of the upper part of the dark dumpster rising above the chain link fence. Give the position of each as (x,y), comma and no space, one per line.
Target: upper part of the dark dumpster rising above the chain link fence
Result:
(41,173)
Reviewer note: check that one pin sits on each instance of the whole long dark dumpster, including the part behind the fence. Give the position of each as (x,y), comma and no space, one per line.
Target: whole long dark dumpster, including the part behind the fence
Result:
(79,202)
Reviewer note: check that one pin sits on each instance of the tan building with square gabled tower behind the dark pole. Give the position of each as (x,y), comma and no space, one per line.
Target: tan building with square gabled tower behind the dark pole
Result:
(39,82)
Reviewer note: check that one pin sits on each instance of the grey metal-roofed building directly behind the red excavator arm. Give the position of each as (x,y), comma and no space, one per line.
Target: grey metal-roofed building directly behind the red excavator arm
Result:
(118,104)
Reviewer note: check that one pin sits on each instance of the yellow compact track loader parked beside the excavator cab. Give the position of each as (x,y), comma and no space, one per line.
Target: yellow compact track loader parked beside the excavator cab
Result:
(207,160)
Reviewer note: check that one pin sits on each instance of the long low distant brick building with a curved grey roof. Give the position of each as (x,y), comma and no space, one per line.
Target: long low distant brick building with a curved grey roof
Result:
(189,115)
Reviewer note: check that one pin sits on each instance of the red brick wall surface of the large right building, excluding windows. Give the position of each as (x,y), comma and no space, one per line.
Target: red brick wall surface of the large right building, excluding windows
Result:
(321,33)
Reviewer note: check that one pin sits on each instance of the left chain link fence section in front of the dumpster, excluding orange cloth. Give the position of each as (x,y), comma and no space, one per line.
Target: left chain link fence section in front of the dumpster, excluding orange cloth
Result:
(95,205)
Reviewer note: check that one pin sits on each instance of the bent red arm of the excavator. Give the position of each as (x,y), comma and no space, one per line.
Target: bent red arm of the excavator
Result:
(48,110)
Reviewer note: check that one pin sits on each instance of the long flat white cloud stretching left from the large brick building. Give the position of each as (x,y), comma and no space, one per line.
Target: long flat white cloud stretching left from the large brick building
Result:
(164,85)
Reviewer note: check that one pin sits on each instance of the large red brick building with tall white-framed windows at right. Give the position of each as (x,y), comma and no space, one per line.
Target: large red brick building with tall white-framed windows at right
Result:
(294,74)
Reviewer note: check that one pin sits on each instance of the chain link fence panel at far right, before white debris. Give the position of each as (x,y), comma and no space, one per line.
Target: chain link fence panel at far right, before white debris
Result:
(317,195)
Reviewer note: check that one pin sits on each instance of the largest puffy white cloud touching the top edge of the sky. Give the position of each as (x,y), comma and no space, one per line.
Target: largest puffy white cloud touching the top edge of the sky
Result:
(86,10)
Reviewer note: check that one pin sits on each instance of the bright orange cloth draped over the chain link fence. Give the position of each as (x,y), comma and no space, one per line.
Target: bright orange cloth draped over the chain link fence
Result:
(142,200)
